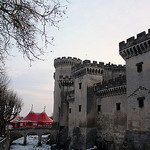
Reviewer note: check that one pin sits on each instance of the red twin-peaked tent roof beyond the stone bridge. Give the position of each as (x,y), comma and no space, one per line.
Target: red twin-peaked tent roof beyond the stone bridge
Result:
(38,117)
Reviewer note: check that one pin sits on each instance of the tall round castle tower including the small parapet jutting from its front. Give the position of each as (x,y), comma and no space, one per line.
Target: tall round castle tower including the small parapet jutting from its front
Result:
(63,81)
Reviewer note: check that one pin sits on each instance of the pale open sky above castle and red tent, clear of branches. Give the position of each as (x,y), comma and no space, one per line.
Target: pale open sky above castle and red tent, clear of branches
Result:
(91,29)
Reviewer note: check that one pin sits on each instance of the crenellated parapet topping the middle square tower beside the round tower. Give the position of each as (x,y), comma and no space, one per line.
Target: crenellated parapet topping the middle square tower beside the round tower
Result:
(87,67)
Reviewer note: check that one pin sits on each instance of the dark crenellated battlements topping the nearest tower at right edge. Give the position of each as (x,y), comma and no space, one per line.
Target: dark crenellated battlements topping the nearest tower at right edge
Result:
(135,46)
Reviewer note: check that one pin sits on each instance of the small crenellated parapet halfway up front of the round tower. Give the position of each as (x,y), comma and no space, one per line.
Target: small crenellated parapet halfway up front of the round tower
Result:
(65,81)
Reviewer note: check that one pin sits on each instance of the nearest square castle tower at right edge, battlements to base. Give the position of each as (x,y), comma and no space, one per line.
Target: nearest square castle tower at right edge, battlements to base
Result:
(136,53)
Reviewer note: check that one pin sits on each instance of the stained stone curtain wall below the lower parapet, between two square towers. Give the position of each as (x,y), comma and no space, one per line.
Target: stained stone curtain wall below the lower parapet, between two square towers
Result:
(112,118)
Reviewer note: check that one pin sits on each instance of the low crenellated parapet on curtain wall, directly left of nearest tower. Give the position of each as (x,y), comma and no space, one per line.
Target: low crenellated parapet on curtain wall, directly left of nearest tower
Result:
(111,87)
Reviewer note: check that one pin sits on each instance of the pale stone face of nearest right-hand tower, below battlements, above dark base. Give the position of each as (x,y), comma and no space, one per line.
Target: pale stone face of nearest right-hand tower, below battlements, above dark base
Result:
(138,92)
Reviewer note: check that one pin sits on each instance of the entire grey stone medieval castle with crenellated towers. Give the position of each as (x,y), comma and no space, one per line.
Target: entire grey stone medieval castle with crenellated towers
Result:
(105,104)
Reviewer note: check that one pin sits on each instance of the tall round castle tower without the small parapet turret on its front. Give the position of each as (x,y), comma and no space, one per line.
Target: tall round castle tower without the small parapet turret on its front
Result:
(62,70)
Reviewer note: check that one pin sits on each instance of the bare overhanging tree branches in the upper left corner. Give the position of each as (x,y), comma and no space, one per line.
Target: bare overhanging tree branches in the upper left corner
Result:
(23,22)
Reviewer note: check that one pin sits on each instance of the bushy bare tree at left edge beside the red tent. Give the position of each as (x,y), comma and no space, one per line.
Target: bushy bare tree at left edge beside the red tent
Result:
(10,104)
